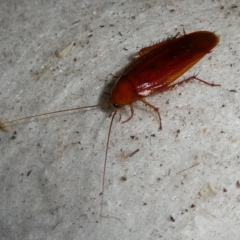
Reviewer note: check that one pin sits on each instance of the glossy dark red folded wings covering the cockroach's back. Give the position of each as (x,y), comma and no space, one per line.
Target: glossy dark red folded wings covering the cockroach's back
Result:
(166,62)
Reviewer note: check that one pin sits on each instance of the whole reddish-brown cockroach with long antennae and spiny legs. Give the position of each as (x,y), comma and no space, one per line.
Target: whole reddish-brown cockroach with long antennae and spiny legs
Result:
(154,71)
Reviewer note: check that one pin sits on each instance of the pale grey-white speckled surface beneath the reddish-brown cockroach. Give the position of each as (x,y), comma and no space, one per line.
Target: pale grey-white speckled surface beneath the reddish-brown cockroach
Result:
(50,175)
